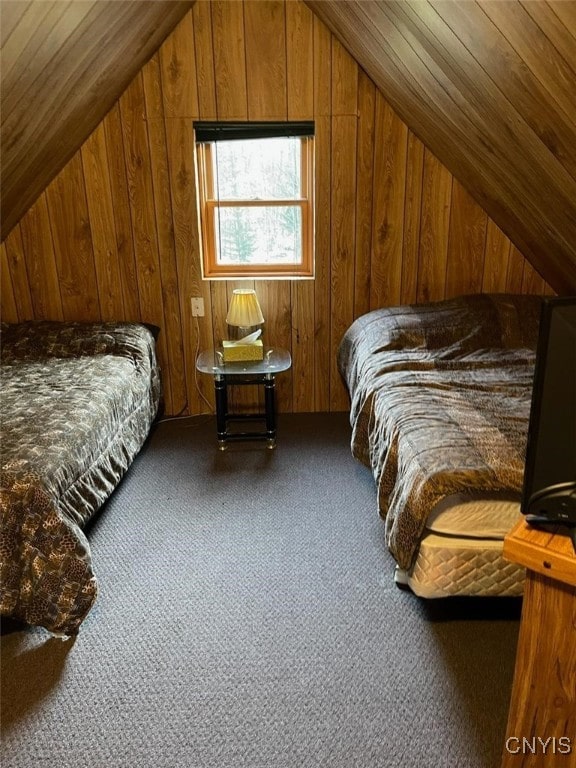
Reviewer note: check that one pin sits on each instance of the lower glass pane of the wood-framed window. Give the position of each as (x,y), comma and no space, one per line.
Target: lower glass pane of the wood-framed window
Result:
(258,235)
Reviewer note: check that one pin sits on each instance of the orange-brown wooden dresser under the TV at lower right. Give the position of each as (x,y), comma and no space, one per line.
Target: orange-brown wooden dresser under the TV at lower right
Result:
(541,730)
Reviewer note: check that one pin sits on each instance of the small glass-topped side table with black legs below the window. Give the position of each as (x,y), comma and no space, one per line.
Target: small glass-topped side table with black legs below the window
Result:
(246,372)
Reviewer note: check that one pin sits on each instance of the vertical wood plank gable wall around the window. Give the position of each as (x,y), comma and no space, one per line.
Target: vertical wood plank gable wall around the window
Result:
(116,234)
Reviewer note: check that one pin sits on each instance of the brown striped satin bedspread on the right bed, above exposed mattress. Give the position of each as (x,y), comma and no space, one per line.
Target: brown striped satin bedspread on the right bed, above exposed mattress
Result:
(440,402)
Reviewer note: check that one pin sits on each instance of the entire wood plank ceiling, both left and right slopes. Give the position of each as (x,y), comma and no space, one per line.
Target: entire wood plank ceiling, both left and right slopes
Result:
(489,87)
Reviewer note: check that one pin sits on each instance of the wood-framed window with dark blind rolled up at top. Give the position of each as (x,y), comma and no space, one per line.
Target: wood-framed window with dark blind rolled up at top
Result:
(256,198)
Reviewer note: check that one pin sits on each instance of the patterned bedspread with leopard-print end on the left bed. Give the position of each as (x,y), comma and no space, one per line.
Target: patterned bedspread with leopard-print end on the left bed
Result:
(78,401)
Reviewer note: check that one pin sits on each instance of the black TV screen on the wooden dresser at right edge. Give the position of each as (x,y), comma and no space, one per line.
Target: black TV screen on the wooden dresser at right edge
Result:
(549,490)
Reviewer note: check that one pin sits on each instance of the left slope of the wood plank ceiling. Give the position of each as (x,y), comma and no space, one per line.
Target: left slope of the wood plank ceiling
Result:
(64,64)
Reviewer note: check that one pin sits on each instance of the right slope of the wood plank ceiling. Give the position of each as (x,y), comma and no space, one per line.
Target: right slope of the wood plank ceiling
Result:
(490,87)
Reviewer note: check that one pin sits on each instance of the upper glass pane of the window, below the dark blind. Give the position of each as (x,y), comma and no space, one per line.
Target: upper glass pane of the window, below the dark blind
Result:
(265,169)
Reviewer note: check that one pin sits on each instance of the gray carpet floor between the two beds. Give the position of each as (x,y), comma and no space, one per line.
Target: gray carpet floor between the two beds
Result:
(247,616)
